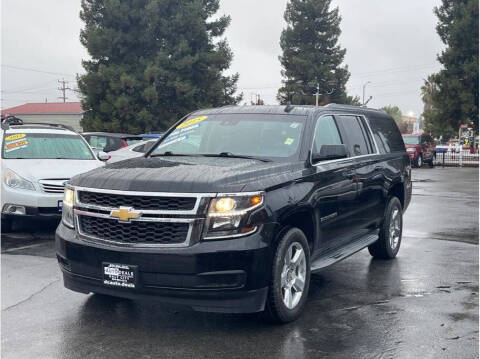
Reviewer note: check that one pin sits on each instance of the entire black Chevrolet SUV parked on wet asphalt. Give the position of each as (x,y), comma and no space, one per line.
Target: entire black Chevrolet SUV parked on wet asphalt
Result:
(234,208)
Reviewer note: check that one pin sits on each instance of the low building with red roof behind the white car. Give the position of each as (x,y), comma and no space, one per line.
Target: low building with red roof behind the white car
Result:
(65,113)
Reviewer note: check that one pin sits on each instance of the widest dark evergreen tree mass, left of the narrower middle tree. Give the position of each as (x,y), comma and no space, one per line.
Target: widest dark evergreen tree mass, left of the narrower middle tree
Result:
(151,62)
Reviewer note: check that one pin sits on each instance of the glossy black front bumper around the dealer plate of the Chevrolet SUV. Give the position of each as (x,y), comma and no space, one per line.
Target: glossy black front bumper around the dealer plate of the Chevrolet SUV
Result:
(229,276)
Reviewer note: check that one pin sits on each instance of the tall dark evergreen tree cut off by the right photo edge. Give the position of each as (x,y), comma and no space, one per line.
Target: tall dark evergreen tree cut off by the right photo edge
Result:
(453,92)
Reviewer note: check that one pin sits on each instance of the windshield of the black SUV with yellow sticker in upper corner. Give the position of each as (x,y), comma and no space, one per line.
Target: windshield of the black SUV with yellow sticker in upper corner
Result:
(253,135)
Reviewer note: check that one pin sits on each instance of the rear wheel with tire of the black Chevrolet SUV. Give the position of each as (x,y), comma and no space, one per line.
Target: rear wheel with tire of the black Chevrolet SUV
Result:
(390,236)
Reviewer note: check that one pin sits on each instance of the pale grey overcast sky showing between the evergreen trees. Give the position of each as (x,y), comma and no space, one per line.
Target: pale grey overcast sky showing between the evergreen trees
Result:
(391,43)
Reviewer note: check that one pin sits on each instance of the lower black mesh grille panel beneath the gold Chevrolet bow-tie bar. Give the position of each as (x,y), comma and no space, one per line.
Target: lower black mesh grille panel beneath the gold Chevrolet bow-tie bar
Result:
(136,232)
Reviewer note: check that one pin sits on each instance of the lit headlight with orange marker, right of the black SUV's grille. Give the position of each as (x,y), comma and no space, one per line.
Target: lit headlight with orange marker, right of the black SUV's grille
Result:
(228,214)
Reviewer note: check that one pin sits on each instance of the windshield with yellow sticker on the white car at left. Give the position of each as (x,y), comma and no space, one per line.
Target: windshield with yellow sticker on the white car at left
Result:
(45,146)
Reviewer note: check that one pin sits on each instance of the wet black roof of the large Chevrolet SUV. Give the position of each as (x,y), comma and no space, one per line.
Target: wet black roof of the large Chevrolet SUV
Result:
(296,110)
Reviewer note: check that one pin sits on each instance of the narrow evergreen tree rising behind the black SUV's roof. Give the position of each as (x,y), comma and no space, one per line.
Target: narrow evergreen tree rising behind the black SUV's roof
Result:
(312,55)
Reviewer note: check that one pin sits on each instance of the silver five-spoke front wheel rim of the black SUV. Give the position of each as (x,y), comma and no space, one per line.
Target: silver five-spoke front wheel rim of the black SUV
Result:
(293,275)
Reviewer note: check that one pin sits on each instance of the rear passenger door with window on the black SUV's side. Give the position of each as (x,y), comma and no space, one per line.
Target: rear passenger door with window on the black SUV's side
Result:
(368,173)
